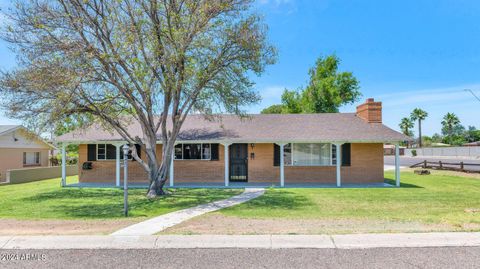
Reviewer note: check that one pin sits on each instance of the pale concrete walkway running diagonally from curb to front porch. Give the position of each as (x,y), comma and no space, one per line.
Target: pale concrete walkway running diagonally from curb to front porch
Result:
(160,223)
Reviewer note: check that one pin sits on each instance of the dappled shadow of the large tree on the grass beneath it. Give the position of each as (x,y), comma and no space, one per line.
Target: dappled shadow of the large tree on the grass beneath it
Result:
(108,203)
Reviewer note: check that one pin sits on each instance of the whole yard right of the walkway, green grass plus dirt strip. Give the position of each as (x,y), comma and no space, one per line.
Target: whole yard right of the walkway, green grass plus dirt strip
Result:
(438,202)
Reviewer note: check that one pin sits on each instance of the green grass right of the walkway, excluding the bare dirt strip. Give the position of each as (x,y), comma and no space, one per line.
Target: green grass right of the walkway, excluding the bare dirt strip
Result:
(437,198)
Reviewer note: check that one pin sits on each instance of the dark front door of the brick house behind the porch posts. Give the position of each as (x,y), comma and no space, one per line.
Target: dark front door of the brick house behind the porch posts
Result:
(239,162)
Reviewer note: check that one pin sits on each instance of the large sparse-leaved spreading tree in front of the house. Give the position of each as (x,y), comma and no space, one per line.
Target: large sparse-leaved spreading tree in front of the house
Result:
(146,61)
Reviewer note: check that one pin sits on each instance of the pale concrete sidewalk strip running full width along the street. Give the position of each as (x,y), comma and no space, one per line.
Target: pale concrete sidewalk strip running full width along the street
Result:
(351,241)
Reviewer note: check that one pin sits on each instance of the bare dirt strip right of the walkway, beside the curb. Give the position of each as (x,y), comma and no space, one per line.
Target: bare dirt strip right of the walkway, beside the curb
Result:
(219,224)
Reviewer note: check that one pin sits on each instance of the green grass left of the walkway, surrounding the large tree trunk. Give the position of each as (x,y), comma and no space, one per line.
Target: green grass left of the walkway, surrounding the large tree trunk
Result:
(47,200)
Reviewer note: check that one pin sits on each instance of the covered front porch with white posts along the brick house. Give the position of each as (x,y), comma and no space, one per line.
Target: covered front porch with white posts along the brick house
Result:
(242,165)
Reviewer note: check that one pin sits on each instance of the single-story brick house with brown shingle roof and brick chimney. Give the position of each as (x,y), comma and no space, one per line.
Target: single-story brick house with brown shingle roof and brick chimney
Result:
(326,148)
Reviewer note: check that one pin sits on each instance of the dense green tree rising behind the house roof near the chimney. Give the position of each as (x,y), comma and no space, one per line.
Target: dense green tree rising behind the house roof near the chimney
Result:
(327,91)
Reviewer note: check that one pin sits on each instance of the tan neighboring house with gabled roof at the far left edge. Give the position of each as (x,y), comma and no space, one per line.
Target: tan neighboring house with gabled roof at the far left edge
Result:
(21,149)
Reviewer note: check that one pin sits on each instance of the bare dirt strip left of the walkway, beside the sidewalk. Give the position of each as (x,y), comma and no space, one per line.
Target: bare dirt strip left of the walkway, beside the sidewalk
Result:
(61,227)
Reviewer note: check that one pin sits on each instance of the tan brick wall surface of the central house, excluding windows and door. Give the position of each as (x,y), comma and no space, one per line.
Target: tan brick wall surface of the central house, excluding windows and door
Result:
(366,167)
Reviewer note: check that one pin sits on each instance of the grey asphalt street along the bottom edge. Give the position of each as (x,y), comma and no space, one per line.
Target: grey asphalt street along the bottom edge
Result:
(439,257)
